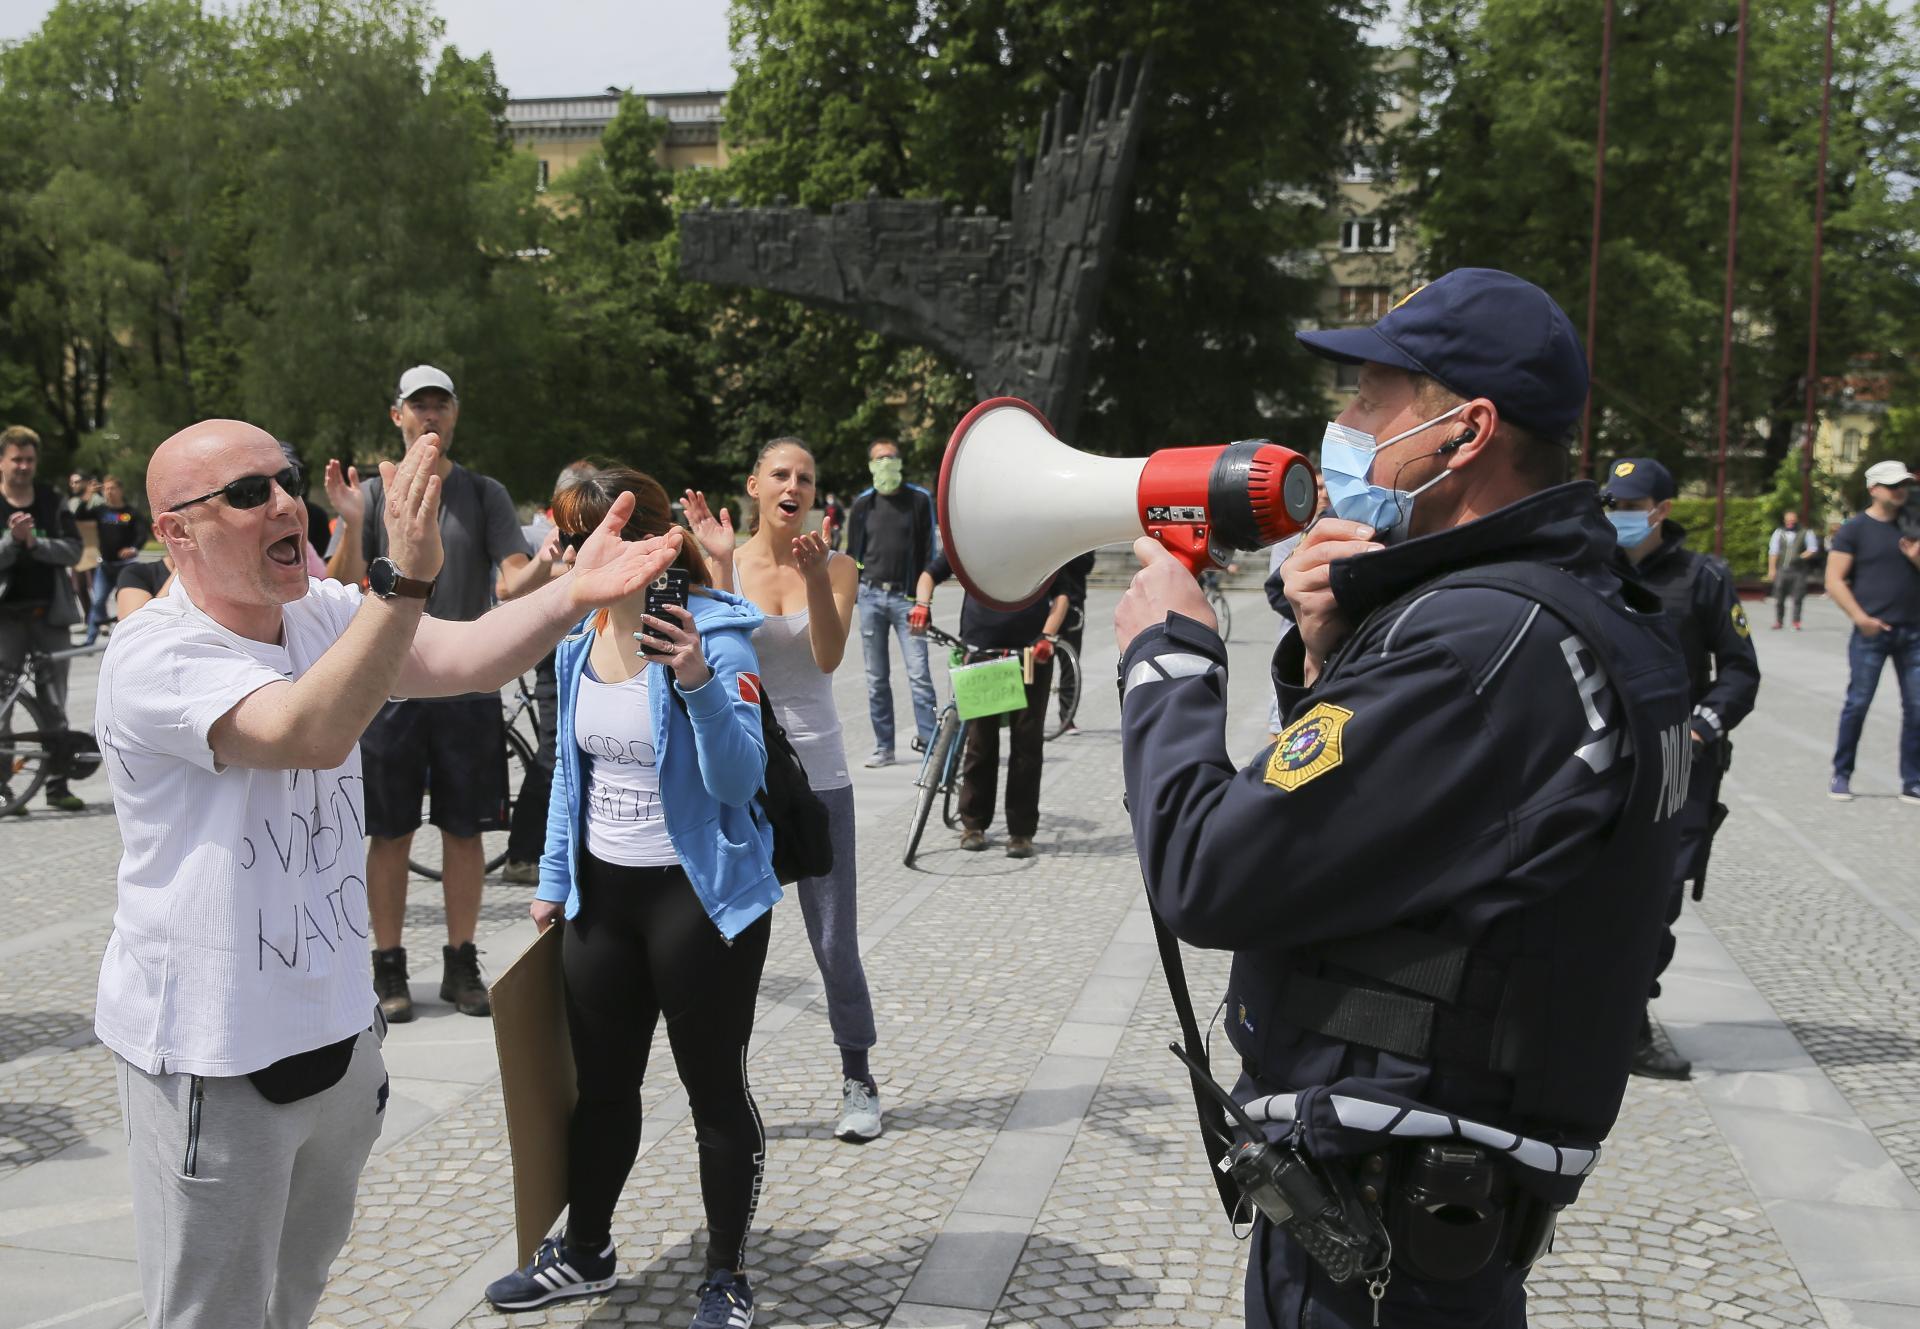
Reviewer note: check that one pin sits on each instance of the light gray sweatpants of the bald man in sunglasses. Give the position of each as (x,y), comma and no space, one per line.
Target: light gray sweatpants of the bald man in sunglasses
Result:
(241,1205)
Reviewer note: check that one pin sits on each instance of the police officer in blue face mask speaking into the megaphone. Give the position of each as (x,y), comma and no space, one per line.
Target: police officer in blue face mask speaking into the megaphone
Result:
(1445,882)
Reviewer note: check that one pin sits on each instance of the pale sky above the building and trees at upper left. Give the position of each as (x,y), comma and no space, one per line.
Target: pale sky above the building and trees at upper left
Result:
(560,47)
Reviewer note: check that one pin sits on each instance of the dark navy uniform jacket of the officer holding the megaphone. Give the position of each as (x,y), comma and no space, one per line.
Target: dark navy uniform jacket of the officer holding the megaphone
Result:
(1462,792)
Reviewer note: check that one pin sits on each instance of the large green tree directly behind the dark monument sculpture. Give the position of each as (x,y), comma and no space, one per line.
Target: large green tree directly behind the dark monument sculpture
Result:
(1251,114)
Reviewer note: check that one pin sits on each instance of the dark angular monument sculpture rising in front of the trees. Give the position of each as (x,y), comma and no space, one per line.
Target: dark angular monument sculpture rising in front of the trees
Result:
(1013,301)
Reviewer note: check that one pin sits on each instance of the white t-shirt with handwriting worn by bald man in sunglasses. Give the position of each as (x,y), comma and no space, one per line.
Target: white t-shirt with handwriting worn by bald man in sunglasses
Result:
(241,934)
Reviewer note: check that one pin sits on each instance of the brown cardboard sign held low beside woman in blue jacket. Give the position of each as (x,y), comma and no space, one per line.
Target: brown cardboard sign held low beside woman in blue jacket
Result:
(537,1078)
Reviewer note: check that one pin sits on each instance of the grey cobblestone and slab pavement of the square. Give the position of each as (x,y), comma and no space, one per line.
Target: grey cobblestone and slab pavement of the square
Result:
(1040,1163)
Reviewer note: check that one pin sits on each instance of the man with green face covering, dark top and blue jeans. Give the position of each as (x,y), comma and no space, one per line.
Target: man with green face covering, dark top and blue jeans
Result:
(890,537)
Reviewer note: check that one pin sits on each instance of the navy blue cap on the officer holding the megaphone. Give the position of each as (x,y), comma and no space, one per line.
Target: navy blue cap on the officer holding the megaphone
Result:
(1481,333)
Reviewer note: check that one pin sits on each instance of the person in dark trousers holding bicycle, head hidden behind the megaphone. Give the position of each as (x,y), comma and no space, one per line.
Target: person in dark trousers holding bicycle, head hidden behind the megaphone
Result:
(992,633)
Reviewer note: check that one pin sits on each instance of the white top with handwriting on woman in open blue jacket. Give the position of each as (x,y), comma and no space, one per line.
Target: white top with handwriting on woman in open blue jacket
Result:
(613,727)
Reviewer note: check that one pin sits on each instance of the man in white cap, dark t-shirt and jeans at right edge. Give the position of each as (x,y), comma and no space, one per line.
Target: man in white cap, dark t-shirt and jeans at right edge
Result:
(1873,573)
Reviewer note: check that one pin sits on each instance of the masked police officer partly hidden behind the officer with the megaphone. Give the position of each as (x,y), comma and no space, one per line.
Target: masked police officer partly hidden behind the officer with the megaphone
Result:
(1723,679)
